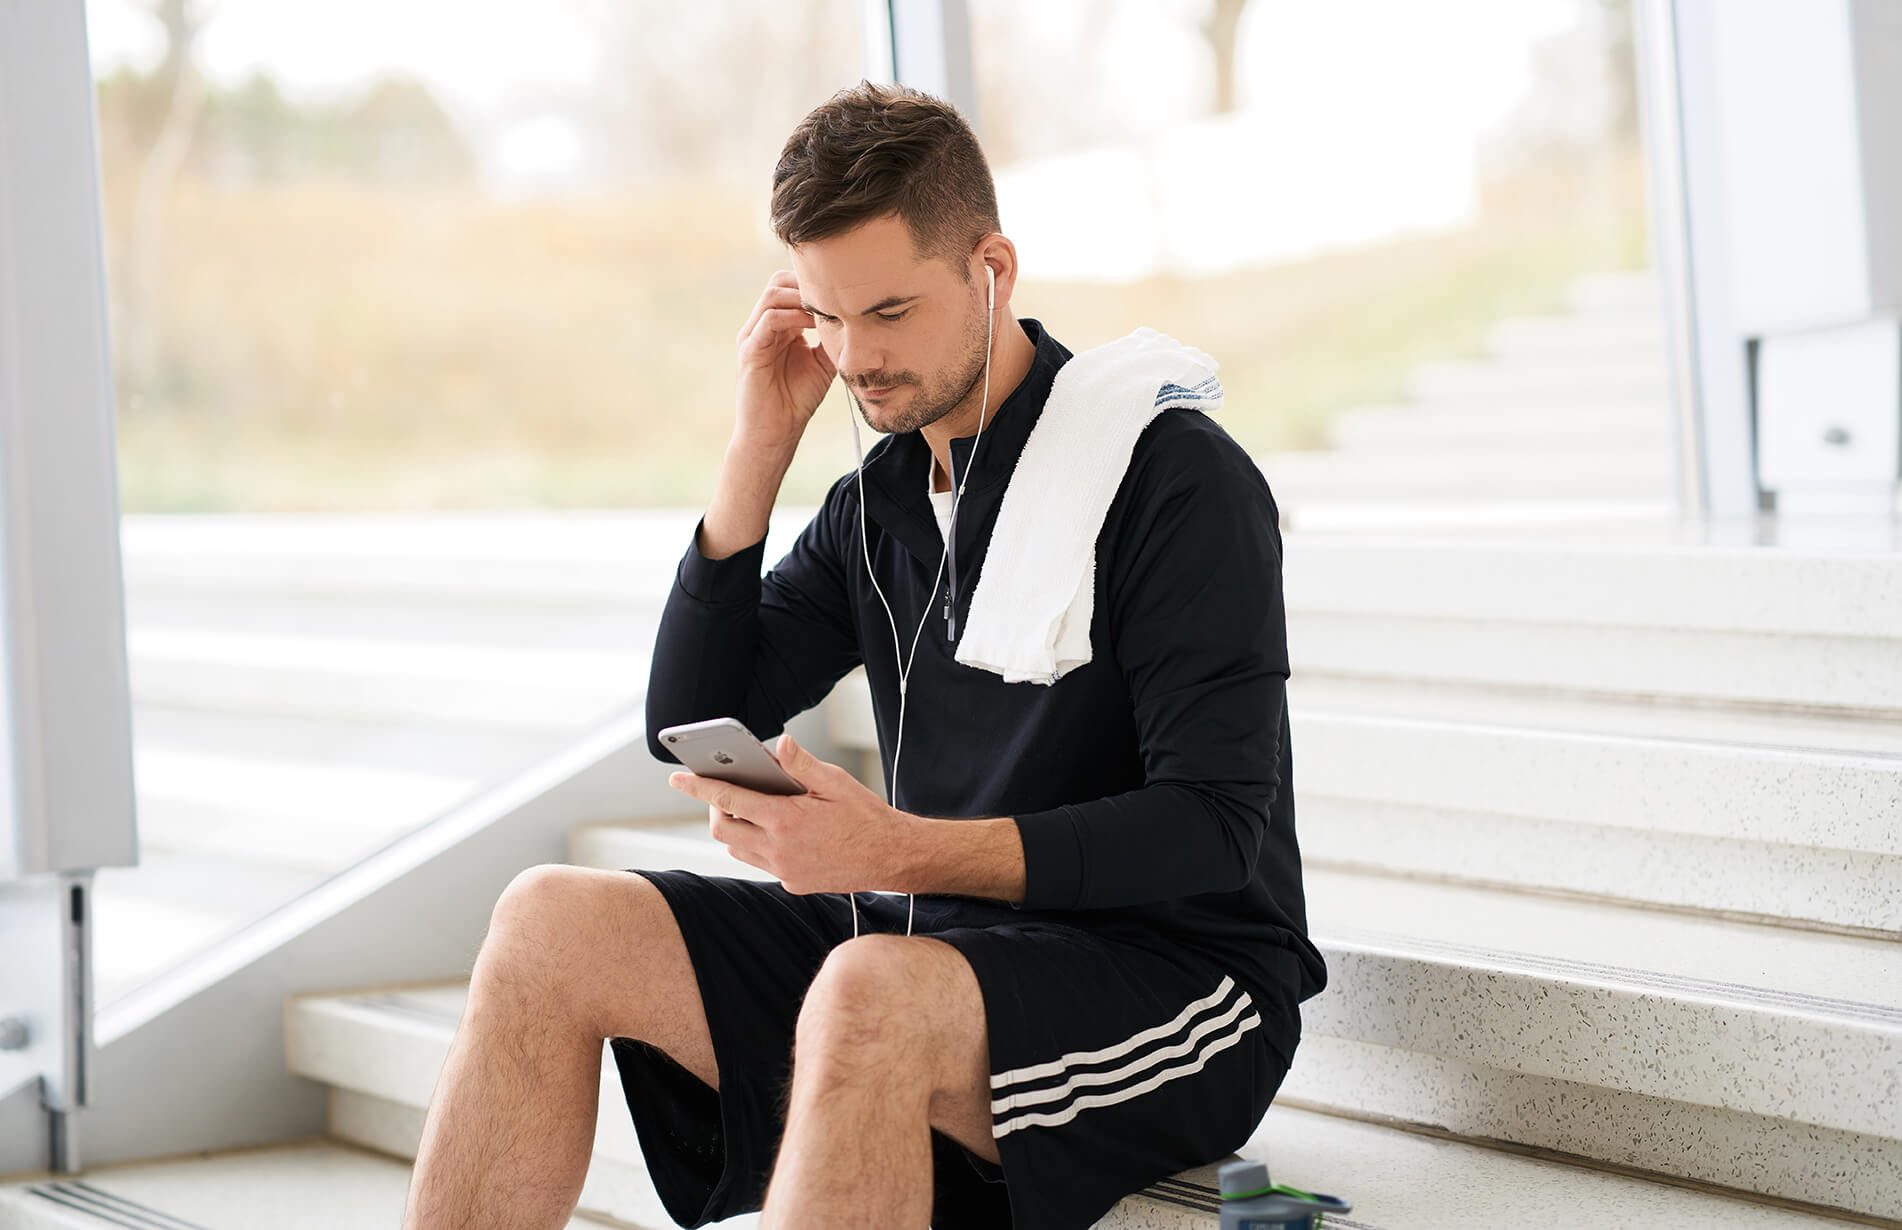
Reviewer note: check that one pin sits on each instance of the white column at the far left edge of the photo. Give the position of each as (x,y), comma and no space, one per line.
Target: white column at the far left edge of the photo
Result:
(66,725)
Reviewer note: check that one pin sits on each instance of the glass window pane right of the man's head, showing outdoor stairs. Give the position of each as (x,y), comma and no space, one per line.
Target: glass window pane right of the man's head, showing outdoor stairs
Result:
(1414,235)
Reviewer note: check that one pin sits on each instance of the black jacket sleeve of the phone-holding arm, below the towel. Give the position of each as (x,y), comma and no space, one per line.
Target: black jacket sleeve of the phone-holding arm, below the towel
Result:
(1199,630)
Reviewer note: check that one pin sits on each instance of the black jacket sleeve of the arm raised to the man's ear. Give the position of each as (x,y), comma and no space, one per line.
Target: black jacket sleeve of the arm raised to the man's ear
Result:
(760,649)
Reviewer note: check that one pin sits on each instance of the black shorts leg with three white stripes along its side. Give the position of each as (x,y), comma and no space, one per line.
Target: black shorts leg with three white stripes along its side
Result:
(1112,1062)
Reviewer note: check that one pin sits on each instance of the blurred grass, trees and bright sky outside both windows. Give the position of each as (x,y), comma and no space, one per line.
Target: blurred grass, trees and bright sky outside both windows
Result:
(427,254)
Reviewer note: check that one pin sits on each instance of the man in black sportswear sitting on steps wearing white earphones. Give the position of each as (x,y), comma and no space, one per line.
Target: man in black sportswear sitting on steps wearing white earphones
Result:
(1102,976)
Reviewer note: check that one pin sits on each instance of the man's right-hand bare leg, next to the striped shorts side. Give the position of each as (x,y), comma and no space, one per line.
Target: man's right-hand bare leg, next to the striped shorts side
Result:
(891,1045)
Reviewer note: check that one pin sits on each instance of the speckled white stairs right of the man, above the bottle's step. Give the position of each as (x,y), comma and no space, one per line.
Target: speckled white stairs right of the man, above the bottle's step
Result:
(1602,851)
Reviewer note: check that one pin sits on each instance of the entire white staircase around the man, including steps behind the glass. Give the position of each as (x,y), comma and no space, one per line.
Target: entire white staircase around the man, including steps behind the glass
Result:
(1601,826)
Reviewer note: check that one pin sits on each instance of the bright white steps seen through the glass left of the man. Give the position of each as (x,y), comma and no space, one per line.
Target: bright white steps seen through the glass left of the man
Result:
(309,689)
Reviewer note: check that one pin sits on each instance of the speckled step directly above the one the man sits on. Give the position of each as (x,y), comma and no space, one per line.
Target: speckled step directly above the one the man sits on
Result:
(1755,815)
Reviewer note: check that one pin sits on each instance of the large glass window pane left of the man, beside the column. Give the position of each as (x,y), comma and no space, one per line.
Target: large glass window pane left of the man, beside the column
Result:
(419,309)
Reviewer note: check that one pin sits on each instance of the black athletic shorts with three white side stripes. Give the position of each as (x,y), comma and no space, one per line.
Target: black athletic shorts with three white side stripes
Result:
(1114,1064)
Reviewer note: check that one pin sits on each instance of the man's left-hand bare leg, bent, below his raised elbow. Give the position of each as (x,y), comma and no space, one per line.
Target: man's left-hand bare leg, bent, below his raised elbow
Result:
(573,957)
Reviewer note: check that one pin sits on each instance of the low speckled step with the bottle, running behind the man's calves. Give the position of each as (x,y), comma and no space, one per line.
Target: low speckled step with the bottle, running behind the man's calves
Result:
(381,1052)
